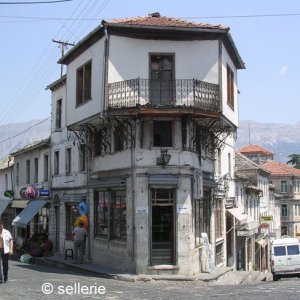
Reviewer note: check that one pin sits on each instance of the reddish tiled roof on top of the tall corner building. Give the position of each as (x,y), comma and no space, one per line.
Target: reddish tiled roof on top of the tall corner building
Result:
(155,19)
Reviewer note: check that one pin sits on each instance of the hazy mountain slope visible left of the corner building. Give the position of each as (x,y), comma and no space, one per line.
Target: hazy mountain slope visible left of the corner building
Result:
(17,135)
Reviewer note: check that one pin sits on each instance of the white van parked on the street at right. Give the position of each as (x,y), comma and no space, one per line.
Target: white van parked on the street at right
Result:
(285,257)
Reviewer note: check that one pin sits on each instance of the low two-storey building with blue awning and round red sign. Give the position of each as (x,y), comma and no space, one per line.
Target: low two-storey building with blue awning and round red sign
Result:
(31,207)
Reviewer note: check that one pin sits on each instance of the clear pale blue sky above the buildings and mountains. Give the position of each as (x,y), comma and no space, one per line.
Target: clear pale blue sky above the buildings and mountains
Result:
(266,34)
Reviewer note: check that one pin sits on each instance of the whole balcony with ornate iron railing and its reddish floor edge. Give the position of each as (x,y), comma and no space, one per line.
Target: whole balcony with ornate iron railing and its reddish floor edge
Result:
(164,97)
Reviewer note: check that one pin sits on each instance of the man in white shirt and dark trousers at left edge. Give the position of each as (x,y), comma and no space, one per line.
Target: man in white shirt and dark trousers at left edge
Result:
(6,249)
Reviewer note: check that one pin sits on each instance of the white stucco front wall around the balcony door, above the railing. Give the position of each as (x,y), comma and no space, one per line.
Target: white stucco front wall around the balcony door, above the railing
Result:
(193,59)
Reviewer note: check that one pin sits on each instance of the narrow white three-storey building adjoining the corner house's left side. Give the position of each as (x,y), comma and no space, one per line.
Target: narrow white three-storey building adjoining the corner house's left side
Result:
(68,172)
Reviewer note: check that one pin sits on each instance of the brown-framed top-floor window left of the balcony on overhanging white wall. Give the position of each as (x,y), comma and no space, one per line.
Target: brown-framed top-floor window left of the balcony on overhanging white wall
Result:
(83,83)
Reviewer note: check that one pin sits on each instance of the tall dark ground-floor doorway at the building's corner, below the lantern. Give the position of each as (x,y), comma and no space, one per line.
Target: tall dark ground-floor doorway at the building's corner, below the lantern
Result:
(162,227)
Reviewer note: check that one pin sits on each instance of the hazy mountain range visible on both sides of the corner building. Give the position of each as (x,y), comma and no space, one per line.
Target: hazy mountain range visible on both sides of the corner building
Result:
(282,139)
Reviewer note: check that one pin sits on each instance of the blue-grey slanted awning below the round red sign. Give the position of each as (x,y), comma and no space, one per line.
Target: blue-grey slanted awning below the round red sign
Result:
(25,216)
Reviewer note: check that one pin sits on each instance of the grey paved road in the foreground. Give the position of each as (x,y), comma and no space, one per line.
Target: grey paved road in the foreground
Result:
(28,281)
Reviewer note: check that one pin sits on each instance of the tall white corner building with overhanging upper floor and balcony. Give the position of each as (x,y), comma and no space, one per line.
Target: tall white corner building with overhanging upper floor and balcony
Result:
(154,99)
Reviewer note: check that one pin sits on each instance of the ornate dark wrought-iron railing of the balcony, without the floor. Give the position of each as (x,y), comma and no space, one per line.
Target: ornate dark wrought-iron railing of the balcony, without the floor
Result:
(169,93)
